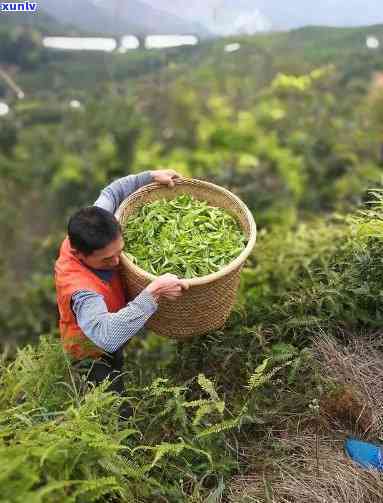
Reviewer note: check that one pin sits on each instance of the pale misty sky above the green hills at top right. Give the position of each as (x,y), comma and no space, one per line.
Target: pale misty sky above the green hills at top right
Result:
(245,16)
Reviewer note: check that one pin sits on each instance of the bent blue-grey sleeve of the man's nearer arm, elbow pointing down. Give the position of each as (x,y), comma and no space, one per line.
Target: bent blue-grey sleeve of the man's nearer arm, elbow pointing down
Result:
(111,331)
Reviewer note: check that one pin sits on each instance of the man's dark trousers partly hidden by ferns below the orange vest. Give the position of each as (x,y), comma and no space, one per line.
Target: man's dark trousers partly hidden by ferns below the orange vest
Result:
(108,366)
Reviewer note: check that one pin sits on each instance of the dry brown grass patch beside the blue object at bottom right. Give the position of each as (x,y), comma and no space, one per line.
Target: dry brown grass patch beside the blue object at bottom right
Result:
(306,464)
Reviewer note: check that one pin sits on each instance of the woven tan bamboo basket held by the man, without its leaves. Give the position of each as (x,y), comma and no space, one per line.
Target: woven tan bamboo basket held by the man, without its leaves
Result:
(206,305)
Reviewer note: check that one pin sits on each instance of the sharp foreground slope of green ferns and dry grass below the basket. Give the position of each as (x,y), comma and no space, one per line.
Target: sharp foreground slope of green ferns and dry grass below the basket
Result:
(256,412)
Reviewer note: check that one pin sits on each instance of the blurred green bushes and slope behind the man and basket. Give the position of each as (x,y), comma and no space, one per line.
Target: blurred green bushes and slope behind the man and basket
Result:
(294,138)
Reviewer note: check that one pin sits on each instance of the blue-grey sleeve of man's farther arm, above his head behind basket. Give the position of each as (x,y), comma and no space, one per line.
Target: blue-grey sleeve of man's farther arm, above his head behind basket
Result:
(115,193)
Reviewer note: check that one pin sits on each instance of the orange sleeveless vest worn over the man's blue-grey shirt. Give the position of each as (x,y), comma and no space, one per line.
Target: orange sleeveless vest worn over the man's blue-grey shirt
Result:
(71,275)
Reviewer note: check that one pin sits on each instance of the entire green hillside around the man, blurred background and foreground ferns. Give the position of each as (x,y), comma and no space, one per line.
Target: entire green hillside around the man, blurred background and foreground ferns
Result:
(258,410)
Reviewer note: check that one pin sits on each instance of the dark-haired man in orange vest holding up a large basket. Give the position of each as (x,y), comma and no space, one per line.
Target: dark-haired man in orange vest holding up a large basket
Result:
(96,321)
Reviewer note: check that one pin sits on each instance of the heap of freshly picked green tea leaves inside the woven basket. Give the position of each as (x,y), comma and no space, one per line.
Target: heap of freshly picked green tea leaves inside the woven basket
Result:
(184,236)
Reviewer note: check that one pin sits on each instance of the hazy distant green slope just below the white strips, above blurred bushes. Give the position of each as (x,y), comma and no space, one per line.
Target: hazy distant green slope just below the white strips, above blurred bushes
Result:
(264,54)
